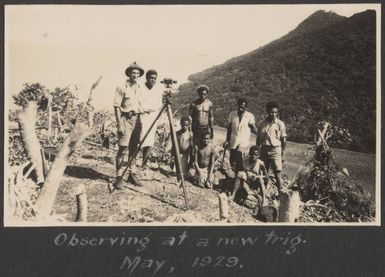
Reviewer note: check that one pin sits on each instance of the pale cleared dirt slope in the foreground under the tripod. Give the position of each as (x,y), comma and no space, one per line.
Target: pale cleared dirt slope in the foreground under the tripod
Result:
(160,199)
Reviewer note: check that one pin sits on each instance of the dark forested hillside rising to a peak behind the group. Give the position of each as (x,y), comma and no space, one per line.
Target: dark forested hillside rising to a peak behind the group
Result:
(325,69)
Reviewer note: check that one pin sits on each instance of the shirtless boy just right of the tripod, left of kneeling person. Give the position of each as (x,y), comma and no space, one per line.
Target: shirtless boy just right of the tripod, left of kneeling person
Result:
(184,137)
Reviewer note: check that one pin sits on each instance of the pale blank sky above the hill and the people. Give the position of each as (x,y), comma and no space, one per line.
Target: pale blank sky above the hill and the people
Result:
(72,45)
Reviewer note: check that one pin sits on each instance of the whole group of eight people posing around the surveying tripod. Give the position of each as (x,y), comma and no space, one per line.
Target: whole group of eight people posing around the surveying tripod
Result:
(137,105)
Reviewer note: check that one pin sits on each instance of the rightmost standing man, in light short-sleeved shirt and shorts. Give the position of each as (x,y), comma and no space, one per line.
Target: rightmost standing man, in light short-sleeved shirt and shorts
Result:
(271,139)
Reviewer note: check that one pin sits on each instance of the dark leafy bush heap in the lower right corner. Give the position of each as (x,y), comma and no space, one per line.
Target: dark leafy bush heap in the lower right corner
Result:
(339,198)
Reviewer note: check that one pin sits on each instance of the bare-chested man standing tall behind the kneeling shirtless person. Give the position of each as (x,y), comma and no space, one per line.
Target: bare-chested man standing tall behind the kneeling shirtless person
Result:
(202,116)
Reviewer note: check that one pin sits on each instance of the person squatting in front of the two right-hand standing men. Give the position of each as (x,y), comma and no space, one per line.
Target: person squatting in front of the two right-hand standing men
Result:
(253,175)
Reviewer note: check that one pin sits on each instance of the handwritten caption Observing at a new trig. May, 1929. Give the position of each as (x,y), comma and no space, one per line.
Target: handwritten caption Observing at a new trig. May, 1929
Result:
(288,242)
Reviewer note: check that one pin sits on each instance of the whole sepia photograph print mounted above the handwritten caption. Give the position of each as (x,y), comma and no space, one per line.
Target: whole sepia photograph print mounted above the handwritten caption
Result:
(192,115)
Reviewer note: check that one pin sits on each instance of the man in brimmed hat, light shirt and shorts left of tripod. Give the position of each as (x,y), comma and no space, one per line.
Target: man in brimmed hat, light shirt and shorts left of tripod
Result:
(126,106)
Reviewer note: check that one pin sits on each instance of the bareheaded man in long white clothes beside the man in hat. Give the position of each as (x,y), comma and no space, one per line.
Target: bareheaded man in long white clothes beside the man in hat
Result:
(152,103)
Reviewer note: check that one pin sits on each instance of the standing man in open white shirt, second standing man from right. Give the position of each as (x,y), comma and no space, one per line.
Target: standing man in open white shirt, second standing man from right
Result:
(240,125)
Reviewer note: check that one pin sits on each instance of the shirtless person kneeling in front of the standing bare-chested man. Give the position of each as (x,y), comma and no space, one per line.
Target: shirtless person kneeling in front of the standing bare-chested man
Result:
(204,158)
